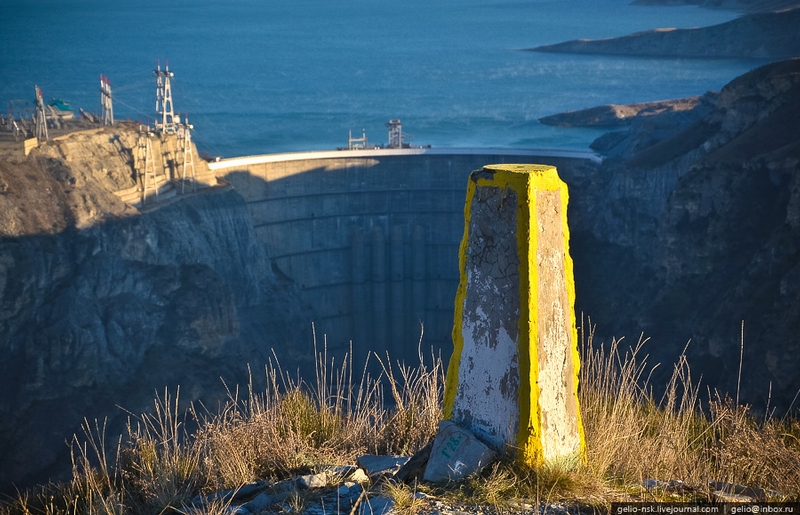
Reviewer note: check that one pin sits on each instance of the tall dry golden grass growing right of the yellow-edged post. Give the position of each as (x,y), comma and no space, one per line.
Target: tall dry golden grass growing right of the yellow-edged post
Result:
(631,436)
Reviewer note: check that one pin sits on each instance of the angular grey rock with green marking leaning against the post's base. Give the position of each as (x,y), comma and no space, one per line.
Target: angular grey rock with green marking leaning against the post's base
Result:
(456,454)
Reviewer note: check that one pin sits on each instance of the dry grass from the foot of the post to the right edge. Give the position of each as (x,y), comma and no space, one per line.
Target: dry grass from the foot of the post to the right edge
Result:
(632,436)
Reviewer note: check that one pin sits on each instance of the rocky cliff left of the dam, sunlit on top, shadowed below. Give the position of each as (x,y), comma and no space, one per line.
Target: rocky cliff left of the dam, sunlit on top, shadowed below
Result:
(102,304)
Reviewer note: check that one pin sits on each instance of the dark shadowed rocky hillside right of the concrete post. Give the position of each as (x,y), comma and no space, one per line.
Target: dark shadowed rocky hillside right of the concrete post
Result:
(693,226)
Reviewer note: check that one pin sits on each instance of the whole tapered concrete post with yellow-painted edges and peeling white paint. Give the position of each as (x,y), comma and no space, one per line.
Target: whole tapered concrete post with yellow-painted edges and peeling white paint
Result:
(513,376)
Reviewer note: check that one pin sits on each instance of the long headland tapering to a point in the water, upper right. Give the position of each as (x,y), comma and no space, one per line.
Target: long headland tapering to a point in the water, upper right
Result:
(768,35)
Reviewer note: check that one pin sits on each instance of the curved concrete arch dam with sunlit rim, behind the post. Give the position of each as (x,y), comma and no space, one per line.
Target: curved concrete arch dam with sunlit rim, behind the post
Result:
(371,237)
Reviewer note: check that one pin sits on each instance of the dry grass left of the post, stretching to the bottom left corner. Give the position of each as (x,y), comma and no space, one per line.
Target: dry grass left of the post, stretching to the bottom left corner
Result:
(288,428)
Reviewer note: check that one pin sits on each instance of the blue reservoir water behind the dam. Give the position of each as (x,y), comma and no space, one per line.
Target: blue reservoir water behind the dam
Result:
(263,76)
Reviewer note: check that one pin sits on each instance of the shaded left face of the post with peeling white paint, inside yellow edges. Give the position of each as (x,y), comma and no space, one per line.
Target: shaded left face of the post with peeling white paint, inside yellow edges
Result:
(487,398)
